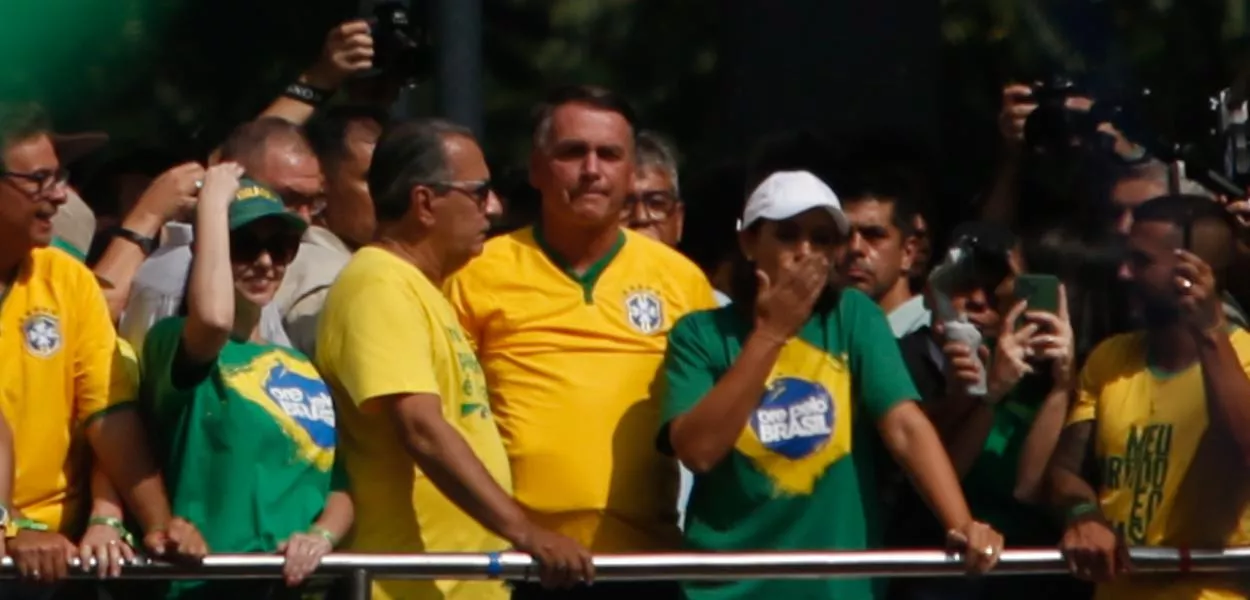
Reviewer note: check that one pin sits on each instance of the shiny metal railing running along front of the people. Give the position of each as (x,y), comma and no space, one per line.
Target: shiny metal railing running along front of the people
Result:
(361,568)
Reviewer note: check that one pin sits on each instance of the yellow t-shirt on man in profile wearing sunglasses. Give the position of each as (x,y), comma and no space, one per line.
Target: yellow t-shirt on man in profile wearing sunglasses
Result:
(387,331)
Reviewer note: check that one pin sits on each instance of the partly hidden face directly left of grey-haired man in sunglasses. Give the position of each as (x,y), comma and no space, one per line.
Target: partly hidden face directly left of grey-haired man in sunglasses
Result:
(349,211)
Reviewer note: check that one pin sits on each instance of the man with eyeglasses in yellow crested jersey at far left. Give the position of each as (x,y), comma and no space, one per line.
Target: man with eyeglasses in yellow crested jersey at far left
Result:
(57,352)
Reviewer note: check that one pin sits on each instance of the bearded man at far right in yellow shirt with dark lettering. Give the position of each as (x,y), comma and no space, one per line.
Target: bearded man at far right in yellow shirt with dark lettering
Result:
(1166,413)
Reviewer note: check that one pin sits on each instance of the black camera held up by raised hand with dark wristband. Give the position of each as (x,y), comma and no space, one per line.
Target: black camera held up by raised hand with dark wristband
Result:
(402,46)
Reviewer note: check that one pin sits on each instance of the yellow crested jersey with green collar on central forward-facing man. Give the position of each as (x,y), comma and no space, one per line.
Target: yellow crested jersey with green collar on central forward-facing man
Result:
(571,364)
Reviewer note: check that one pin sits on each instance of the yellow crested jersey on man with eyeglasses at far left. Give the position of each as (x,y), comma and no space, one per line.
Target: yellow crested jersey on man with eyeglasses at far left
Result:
(58,351)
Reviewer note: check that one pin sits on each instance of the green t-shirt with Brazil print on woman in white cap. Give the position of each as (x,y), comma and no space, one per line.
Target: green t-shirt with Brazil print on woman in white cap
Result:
(802,473)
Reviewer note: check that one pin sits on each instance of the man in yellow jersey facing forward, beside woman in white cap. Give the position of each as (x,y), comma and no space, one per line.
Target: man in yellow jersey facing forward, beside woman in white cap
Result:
(571,321)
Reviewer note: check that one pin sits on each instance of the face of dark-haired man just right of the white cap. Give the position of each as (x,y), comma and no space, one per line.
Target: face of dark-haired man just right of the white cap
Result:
(877,252)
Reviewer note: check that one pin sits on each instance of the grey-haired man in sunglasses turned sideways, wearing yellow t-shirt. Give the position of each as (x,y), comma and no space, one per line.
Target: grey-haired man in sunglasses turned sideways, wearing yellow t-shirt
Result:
(424,462)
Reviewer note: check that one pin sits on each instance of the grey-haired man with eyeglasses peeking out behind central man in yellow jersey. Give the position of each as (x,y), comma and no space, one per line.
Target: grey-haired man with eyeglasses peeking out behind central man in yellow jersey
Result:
(654,207)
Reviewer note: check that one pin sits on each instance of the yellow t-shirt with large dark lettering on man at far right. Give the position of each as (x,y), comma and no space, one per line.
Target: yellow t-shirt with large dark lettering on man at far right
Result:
(1164,474)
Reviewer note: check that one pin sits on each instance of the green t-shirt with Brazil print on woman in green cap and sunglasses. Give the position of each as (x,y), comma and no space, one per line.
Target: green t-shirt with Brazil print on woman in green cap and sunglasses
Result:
(248,452)
